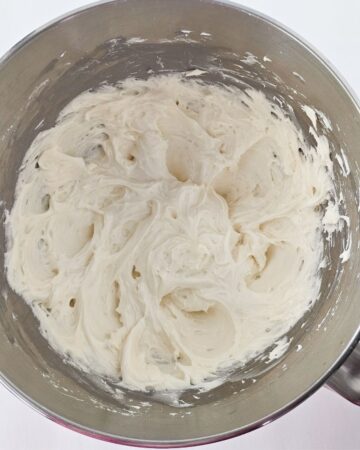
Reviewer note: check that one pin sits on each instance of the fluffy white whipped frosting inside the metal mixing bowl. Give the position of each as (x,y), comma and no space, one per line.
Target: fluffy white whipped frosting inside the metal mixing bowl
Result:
(166,229)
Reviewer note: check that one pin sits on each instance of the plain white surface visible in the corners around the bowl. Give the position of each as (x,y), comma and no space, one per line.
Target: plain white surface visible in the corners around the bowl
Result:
(325,421)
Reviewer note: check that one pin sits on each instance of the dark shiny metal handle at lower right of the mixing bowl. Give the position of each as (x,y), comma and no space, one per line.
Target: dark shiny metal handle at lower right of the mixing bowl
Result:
(346,380)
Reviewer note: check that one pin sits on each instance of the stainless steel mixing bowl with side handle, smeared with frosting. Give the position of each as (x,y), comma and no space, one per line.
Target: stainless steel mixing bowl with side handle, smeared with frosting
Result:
(42,73)
